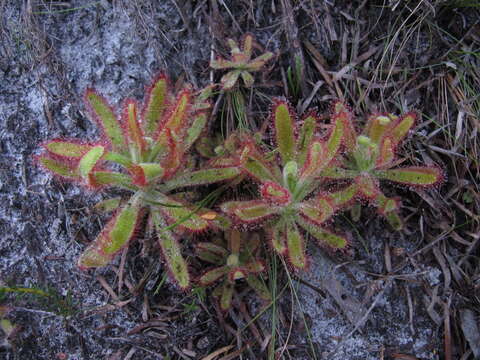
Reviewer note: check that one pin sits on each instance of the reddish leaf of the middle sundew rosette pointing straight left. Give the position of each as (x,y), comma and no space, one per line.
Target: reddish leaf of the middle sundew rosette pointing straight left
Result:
(249,211)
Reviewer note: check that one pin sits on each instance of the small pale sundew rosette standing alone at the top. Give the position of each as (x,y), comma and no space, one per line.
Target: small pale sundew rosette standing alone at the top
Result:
(241,64)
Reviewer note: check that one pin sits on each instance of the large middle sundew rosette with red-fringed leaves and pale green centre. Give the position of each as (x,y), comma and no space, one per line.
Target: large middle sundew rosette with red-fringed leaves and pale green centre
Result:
(292,200)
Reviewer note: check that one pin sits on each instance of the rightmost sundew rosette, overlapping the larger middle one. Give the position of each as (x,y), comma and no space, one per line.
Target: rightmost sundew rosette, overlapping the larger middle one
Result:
(371,157)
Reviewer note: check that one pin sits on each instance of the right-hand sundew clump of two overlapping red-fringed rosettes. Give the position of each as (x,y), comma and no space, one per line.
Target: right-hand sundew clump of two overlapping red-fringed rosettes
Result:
(295,179)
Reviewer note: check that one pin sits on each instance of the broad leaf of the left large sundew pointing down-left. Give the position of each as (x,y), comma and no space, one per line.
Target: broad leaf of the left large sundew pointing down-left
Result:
(114,236)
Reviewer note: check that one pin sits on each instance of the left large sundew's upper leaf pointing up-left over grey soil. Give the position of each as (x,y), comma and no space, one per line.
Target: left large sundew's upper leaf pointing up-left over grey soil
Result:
(107,119)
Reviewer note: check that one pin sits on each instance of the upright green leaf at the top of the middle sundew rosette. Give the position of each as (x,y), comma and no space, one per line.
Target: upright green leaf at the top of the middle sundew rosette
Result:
(284,131)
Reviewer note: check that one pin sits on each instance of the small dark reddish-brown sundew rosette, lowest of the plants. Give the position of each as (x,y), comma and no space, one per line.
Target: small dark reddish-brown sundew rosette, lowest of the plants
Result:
(235,258)
